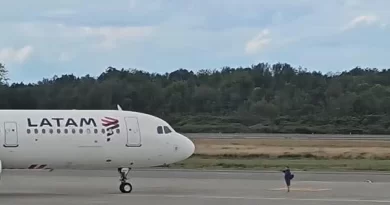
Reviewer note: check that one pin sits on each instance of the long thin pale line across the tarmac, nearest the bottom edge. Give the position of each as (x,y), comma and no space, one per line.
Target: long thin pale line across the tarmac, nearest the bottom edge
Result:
(387,201)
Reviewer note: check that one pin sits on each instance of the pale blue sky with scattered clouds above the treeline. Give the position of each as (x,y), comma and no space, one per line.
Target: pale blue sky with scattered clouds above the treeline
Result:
(43,38)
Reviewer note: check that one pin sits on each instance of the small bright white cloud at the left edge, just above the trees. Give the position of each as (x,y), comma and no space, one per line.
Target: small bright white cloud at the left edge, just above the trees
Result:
(11,55)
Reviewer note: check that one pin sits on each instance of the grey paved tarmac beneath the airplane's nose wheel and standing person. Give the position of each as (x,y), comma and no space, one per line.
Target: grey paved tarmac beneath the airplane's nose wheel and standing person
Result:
(176,187)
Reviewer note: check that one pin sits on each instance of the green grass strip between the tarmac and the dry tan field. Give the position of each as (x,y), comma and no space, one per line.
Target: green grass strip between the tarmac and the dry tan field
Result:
(198,162)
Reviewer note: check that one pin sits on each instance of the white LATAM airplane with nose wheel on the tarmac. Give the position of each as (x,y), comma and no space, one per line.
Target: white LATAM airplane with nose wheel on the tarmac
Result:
(89,139)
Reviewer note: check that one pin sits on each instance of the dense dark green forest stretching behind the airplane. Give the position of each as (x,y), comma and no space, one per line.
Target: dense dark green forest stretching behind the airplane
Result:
(264,98)
